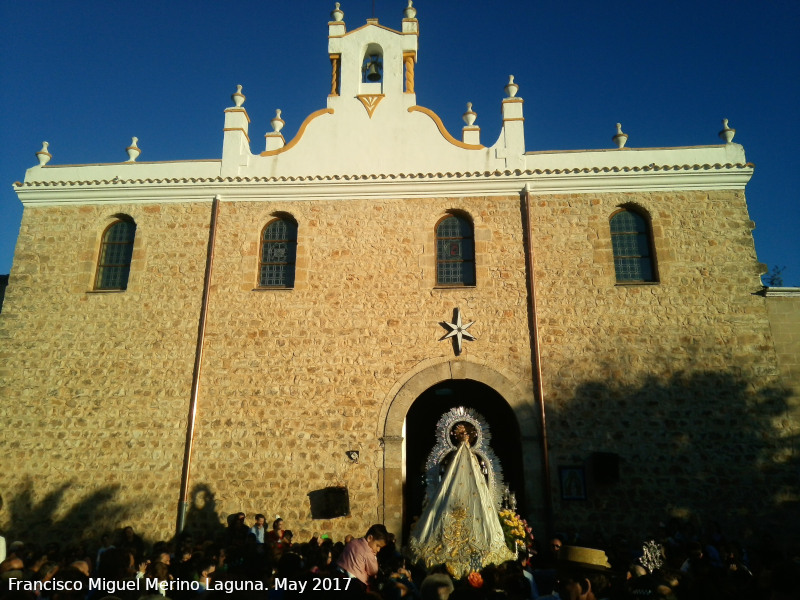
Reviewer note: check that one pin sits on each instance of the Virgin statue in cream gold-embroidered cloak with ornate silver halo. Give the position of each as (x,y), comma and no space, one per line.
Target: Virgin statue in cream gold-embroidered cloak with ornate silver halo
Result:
(459,525)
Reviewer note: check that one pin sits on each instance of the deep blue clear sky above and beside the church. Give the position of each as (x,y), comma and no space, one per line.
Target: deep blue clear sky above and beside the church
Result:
(87,76)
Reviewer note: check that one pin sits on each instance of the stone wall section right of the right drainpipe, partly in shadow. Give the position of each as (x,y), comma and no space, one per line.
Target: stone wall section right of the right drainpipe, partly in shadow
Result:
(676,380)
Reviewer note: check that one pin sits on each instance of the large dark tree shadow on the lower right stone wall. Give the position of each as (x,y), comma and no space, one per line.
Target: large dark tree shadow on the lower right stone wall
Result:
(702,446)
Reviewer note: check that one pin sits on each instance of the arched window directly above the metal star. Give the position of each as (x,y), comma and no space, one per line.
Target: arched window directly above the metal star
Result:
(455,251)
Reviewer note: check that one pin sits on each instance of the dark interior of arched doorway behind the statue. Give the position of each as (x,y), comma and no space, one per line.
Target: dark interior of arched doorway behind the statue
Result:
(421,433)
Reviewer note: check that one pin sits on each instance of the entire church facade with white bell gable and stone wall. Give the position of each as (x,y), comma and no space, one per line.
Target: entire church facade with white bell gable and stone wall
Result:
(279,331)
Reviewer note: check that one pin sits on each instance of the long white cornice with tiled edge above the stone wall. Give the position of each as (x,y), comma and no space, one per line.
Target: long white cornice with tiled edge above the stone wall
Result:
(403,185)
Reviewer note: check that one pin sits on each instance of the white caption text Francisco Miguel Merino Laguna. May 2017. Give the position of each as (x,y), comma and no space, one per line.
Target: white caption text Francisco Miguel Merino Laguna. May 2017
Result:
(111,586)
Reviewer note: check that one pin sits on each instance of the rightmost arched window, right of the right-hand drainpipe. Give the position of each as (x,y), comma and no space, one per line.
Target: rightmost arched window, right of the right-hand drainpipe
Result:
(633,247)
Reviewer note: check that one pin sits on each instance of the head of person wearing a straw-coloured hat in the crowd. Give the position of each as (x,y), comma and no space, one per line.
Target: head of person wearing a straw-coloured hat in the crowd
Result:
(582,573)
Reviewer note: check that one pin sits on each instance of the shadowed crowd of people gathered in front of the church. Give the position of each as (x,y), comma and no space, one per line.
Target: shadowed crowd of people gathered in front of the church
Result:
(256,560)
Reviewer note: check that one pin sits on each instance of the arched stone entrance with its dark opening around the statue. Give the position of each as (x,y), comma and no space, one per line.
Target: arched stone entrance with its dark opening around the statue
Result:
(504,402)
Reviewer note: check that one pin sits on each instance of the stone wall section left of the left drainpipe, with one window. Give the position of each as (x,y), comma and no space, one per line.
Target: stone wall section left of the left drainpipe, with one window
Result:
(96,386)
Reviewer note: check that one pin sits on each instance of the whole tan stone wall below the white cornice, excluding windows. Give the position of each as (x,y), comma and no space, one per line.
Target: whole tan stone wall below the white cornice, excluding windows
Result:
(678,379)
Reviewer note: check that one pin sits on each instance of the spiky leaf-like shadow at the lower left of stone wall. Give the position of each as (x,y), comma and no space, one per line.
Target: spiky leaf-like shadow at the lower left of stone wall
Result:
(43,520)
